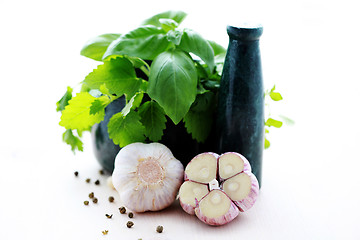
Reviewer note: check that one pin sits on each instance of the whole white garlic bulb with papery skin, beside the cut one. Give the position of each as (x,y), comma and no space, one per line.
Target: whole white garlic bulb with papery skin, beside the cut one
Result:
(147,176)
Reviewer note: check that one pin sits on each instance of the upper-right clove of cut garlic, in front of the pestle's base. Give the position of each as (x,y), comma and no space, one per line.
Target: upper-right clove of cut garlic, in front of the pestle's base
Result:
(232,163)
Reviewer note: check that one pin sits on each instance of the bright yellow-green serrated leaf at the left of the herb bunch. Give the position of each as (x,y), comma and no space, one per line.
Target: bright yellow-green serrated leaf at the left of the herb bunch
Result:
(77,115)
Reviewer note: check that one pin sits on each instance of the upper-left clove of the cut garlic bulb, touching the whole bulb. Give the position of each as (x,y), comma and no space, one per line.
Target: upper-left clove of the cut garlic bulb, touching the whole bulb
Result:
(202,168)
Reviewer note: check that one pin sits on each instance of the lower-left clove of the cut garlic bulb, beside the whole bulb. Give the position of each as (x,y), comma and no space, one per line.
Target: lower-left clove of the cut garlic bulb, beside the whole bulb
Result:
(189,193)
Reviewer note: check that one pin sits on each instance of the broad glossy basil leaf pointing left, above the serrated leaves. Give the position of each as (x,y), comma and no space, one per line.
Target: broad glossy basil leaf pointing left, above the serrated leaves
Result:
(145,42)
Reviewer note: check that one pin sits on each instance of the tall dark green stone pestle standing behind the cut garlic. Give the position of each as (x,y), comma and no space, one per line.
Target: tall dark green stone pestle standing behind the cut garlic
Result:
(240,117)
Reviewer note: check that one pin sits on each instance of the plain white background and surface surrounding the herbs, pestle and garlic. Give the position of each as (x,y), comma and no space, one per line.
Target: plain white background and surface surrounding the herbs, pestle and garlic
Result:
(310,50)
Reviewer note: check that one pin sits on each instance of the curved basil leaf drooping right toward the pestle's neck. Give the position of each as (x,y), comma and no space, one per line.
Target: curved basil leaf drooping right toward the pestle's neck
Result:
(193,42)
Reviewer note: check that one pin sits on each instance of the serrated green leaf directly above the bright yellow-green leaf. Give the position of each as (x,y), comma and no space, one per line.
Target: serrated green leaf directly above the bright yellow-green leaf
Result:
(118,75)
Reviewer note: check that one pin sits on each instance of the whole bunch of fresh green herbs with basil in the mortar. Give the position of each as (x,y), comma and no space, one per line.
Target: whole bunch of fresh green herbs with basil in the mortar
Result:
(179,77)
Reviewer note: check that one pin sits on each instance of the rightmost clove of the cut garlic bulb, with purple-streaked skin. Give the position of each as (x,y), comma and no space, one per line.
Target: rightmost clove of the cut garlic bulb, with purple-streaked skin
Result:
(243,189)
